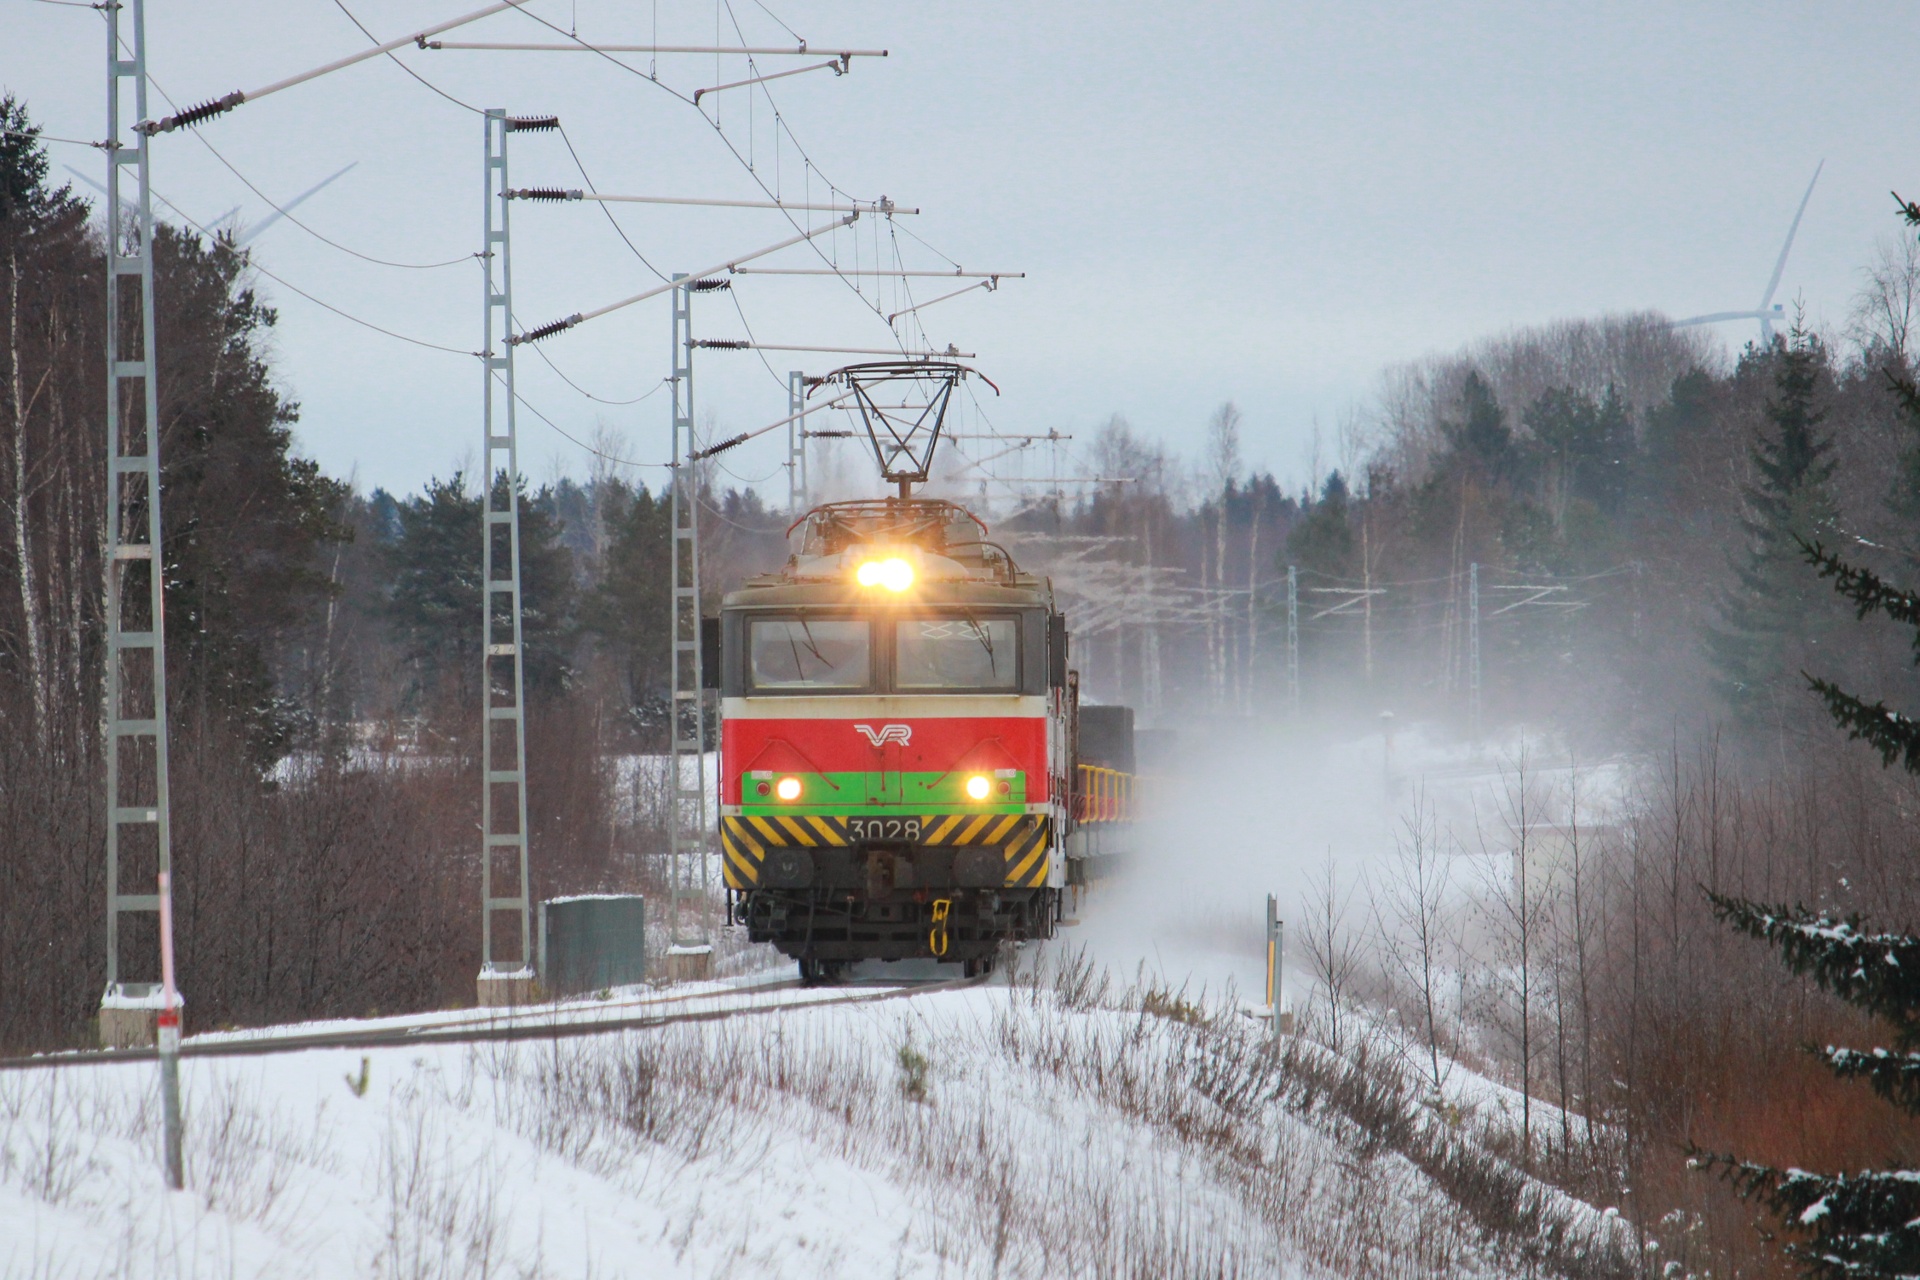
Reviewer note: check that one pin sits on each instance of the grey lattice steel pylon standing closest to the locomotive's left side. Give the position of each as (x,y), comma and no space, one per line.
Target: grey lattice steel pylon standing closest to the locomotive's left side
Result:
(686,719)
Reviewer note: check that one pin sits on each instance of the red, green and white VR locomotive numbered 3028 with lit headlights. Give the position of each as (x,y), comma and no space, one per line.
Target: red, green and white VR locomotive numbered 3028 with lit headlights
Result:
(896,744)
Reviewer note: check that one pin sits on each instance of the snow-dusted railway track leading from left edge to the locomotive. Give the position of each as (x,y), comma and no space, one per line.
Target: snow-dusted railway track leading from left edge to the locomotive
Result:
(552,1024)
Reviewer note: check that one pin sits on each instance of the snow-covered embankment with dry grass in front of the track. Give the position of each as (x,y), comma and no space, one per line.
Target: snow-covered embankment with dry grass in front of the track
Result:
(1049,1127)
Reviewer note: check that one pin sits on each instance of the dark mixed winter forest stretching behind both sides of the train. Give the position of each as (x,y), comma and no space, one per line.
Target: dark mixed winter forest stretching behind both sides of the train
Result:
(1596,531)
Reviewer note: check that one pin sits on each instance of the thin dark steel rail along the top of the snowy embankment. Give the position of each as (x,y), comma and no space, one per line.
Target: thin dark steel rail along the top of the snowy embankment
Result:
(402,1037)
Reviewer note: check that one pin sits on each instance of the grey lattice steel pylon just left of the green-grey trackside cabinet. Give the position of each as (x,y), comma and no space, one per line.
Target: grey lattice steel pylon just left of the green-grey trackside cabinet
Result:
(502,644)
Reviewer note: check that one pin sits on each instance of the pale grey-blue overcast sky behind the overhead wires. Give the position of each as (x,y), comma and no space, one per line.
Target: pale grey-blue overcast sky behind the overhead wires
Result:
(1253,202)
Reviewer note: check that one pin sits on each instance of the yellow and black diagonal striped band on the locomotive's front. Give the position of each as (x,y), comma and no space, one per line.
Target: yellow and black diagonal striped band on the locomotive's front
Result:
(1020,838)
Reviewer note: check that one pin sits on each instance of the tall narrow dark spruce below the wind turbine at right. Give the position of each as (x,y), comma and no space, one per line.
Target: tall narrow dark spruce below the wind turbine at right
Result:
(1775,607)
